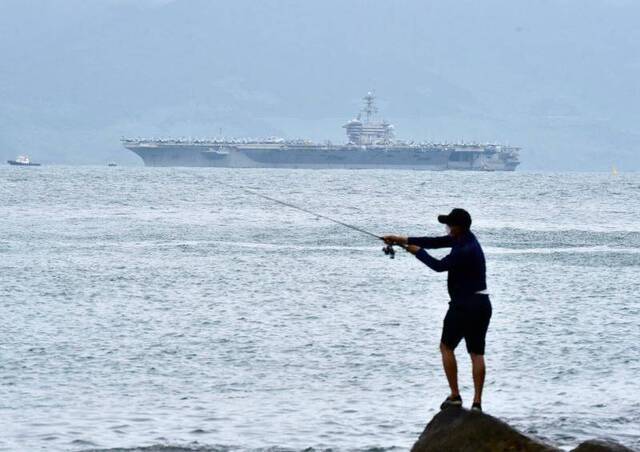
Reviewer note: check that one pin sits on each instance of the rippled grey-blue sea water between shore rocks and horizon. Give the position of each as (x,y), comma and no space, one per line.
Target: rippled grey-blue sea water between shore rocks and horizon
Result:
(155,307)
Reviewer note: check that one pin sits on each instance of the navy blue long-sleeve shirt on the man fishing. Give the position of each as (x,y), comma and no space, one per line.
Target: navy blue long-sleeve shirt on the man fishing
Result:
(465,263)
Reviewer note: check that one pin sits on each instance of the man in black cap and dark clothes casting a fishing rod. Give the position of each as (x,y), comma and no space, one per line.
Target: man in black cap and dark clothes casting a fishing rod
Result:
(469,309)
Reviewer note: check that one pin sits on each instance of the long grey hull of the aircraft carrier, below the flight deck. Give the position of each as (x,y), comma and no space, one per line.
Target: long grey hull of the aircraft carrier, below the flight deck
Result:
(312,157)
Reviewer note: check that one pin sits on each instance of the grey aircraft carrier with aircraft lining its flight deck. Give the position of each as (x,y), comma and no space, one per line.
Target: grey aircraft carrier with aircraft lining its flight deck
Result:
(371,144)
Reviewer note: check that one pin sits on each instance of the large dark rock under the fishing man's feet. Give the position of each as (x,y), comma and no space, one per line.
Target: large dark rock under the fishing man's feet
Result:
(460,430)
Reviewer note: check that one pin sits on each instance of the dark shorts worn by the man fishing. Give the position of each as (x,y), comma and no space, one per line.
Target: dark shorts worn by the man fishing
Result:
(468,319)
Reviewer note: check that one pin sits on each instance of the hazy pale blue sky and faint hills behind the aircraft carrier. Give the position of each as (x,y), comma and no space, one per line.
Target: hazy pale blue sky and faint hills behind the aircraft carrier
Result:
(560,78)
